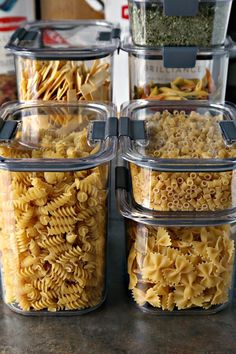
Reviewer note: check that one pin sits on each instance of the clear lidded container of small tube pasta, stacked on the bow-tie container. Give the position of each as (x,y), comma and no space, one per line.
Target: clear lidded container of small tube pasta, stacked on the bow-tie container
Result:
(182,156)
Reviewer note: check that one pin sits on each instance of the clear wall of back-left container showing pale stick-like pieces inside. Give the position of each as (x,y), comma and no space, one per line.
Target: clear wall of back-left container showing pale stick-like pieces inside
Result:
(64,80)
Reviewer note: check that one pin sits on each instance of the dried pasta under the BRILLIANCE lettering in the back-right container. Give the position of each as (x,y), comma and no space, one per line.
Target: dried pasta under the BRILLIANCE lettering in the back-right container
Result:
(178,90)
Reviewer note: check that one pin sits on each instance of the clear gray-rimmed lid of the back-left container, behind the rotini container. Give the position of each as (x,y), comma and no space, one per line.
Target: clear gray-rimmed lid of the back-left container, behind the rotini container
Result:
(70,39)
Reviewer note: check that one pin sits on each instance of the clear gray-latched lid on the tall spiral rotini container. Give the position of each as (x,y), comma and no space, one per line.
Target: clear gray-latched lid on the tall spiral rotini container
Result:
(29,129)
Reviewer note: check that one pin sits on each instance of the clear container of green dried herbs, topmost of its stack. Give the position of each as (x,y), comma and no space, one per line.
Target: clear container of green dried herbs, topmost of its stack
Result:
(179,23)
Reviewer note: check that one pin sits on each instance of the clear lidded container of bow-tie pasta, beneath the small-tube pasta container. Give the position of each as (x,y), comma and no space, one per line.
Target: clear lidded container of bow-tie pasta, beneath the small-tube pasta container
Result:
(177,266)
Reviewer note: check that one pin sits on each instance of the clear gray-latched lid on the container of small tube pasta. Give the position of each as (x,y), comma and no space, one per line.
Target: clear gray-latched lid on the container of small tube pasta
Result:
(143,141)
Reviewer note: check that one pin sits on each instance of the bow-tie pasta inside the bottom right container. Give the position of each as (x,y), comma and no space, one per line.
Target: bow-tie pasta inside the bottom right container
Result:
(192,267)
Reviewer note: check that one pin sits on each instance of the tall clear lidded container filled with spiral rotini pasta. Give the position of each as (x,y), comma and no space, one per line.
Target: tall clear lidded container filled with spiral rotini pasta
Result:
(54,178)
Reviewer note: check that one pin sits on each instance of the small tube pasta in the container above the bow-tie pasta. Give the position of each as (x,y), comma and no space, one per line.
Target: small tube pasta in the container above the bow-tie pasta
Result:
(179,135)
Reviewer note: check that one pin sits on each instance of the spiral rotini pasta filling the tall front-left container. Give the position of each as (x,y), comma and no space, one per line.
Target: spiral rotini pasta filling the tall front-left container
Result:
(52,242)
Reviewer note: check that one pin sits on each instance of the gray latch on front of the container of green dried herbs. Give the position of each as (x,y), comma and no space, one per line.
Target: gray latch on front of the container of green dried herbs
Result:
(181,8)
